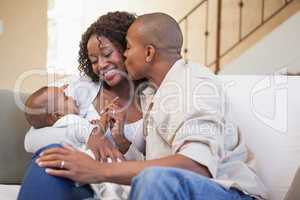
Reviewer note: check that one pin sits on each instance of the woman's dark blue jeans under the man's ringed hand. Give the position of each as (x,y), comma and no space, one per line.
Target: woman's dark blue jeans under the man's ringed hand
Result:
(37,184)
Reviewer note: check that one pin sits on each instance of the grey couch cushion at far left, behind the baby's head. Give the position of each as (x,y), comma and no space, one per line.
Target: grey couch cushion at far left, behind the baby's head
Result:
(12,132)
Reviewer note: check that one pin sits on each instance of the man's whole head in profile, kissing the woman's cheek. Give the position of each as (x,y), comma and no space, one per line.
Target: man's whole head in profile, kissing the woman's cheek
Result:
(154,43)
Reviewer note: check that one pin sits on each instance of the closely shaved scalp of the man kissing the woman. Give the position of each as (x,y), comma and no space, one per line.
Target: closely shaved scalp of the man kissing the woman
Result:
(160,30)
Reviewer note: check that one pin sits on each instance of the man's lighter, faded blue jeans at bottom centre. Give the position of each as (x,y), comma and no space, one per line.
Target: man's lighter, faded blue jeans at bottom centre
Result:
(162,183)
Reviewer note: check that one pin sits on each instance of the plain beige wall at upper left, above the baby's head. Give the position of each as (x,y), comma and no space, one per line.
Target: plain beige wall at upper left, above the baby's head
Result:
(23,44)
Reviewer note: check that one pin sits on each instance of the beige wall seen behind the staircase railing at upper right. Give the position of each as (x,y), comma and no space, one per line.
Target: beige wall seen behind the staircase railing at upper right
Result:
(195,38)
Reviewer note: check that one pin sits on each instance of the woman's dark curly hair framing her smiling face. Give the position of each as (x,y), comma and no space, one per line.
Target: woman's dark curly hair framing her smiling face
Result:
(113,26)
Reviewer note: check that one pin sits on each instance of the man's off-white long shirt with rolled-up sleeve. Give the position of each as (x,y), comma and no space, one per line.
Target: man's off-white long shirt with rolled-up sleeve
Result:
(187,116)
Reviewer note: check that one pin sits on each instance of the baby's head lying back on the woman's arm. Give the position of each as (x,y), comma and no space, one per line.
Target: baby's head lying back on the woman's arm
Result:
(47,105)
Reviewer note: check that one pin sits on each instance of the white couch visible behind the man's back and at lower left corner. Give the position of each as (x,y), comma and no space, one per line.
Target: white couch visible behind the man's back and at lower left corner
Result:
(266,110)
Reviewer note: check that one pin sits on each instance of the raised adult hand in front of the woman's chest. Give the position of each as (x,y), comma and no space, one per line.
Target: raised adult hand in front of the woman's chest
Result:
(117,120)
